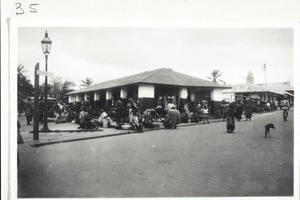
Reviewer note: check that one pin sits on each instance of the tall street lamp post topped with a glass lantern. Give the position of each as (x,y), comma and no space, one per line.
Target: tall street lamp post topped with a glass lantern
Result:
(46,45)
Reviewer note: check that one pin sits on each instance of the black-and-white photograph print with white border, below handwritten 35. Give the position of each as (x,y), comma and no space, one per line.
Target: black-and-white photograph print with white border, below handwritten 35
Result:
(148,111)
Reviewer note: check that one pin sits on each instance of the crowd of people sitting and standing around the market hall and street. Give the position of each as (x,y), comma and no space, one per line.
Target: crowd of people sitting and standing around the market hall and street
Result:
(168,114)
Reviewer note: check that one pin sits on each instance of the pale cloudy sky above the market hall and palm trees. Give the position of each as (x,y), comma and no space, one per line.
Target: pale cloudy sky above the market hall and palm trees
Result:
(104,53)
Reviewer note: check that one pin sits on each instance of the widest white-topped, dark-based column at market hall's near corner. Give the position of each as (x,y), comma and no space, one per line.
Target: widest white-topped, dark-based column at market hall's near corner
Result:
(146,96)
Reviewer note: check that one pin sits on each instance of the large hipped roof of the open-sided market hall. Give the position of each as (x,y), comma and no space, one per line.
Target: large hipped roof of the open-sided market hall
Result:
(163,76)
